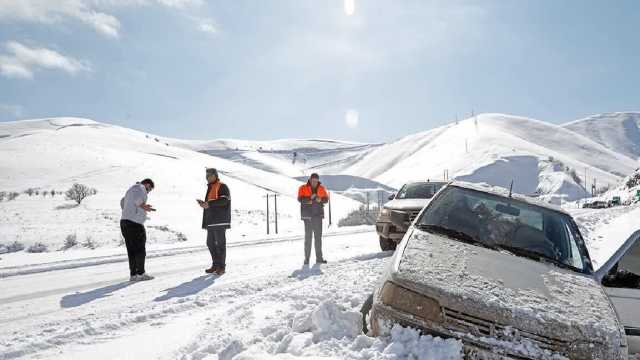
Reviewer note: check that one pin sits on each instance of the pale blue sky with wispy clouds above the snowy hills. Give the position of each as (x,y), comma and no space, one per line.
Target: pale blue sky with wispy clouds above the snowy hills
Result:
(308,69)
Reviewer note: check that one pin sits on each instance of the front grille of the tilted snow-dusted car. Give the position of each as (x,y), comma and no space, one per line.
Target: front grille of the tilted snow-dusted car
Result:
(459,321)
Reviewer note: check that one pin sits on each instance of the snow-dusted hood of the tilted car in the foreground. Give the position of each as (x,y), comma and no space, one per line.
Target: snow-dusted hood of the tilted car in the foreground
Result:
(507,290)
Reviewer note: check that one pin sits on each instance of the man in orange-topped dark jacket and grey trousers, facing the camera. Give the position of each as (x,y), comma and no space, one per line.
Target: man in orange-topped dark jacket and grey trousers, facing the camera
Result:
(312,197)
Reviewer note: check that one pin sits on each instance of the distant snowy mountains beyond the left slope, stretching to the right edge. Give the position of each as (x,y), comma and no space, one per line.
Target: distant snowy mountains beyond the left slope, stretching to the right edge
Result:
(541,158)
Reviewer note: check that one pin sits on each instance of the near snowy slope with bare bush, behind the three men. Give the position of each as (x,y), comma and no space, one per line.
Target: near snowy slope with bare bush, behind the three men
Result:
(51,154)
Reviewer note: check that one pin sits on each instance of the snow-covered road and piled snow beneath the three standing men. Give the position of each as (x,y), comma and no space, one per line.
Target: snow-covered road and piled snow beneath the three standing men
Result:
(261,308)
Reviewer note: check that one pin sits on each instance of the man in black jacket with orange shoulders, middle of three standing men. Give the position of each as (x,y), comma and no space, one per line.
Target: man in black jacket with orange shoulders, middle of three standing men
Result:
(216,219)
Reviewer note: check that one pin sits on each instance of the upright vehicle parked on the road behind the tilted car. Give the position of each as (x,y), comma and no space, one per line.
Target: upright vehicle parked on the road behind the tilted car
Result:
(410,199)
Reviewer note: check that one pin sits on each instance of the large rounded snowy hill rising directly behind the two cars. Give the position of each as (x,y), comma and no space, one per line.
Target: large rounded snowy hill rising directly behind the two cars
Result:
(494,148)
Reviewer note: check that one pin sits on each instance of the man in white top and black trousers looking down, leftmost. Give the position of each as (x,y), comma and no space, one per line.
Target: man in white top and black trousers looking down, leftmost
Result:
(134,213)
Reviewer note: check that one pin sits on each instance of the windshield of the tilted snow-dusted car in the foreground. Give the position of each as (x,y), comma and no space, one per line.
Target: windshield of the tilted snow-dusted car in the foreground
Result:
(505,224)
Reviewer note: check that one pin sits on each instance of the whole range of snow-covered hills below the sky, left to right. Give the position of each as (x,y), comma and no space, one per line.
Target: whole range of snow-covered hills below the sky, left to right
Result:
(51,154)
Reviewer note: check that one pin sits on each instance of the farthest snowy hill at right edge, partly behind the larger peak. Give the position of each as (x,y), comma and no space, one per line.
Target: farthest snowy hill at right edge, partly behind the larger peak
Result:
(616,131)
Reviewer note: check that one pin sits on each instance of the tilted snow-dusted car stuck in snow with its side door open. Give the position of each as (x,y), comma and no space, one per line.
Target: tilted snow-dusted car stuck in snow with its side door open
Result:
(511,278)
